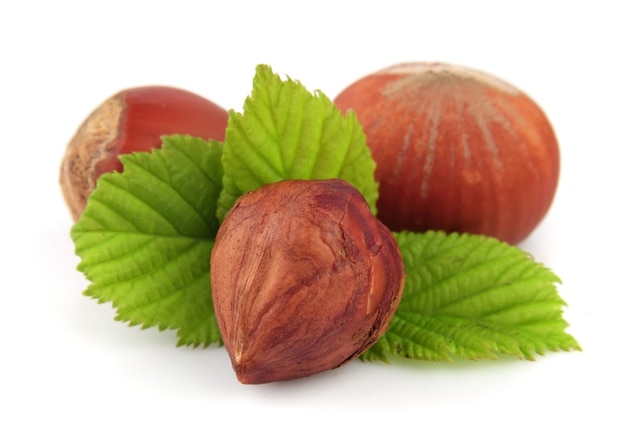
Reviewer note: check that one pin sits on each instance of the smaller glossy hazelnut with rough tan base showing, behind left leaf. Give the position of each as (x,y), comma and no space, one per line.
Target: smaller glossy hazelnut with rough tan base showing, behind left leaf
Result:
(132,120)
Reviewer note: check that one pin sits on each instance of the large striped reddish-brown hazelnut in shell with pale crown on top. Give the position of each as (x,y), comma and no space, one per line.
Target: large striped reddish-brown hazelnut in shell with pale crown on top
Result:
(456,150)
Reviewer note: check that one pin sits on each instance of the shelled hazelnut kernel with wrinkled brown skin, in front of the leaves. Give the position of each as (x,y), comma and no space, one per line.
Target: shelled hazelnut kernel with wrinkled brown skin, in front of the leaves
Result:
(304,279)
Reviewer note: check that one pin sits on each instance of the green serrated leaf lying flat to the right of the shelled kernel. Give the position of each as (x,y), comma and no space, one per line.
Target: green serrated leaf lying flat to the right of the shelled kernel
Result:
(473,297)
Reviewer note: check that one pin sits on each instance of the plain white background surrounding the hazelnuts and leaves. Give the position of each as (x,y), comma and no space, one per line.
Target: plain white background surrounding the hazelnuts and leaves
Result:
(63,357)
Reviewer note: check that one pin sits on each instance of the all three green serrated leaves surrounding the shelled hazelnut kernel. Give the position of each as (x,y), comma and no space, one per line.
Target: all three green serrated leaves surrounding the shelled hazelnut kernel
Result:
(146,236)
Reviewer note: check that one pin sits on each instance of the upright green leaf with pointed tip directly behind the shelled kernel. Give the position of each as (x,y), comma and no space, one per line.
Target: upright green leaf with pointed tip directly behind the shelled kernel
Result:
(286,132)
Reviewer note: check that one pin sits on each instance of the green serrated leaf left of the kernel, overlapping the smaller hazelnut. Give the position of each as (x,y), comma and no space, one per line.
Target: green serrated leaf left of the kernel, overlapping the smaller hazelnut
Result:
(146,236)
